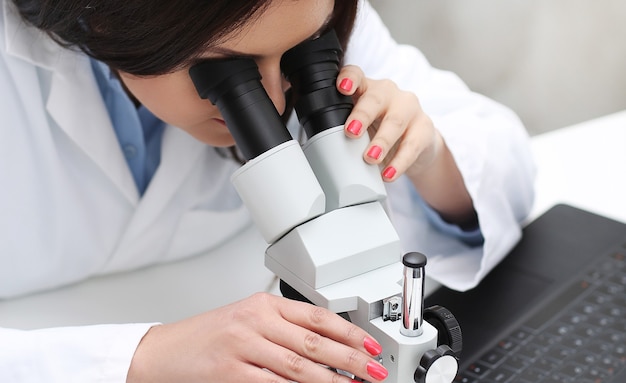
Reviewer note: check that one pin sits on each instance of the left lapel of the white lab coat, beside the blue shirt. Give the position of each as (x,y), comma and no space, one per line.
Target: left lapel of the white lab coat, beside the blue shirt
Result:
(73,101)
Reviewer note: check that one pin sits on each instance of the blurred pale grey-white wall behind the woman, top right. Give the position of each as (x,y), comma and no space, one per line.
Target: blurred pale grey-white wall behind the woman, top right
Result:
(555,62)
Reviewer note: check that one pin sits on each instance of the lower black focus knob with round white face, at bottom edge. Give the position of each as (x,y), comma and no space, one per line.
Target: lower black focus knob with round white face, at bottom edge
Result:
(437,366)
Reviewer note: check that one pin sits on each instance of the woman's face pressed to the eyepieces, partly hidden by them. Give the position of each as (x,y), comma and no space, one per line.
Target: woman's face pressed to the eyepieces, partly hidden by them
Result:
(283,25)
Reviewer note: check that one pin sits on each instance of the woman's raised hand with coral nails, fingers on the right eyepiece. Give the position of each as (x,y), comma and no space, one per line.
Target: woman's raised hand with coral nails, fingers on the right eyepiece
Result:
(404,140)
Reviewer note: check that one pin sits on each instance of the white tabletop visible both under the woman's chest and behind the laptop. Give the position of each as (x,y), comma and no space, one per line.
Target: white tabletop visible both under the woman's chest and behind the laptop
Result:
(582,165)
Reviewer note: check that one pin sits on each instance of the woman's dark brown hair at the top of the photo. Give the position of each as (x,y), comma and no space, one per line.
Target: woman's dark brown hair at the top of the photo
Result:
(152,37)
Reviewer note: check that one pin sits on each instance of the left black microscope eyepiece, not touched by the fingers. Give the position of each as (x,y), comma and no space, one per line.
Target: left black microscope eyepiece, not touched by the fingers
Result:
(234,86)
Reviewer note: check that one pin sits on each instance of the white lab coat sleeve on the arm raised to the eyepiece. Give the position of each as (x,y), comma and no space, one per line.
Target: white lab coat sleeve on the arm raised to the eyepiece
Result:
(487,140)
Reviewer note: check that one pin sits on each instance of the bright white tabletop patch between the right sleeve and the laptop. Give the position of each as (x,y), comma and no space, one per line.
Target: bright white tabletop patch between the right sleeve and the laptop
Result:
(583,165)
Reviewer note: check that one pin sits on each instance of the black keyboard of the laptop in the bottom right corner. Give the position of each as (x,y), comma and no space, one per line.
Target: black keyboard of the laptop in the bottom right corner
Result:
(578,337)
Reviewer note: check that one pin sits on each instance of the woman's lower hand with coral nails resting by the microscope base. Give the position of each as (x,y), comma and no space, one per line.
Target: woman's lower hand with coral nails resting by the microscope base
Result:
(263,338)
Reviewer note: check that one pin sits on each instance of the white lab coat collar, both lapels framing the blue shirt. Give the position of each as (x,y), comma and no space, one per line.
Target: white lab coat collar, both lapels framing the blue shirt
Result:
(75,104)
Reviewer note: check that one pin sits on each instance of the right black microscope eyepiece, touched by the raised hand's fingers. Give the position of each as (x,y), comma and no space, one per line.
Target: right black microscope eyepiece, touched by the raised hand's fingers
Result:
(312,68)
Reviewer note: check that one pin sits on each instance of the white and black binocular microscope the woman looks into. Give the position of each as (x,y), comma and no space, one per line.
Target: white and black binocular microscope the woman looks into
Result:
(320,208)
